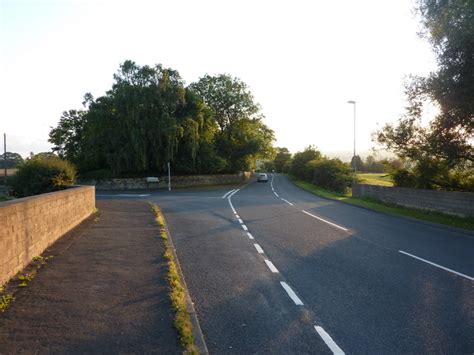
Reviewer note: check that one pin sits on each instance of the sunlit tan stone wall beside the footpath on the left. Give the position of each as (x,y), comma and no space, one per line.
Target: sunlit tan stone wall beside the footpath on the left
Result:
(29,225)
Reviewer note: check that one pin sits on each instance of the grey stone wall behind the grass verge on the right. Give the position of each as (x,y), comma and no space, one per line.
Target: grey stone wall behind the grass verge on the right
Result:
(449,202)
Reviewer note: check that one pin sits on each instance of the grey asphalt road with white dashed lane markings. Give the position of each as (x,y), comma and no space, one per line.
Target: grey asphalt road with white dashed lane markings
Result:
(274,269)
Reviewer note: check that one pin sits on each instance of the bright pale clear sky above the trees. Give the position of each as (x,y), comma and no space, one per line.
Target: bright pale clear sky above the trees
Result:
(303,60)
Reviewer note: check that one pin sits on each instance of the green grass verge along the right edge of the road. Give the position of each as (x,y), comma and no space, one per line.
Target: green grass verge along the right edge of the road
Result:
(376,205)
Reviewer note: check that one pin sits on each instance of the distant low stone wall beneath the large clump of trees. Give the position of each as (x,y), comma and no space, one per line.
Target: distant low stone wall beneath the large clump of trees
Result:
(176,182)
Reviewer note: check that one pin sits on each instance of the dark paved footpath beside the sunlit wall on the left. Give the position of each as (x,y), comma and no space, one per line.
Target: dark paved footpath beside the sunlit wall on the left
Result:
(103,292)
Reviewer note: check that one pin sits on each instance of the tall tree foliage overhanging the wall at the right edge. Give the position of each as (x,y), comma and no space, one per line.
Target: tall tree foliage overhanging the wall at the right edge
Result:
(444,147)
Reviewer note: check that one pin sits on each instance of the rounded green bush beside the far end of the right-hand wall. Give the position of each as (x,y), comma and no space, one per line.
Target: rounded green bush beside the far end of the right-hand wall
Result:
(332,174)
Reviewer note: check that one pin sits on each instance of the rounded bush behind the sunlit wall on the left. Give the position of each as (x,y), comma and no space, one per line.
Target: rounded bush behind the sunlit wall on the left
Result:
(42,174)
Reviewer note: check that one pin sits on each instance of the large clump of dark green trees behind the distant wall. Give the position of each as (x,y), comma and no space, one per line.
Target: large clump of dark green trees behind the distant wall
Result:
(149,118)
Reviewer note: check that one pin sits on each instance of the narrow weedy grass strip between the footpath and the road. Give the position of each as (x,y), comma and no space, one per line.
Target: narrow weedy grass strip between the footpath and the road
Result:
(182,320)
